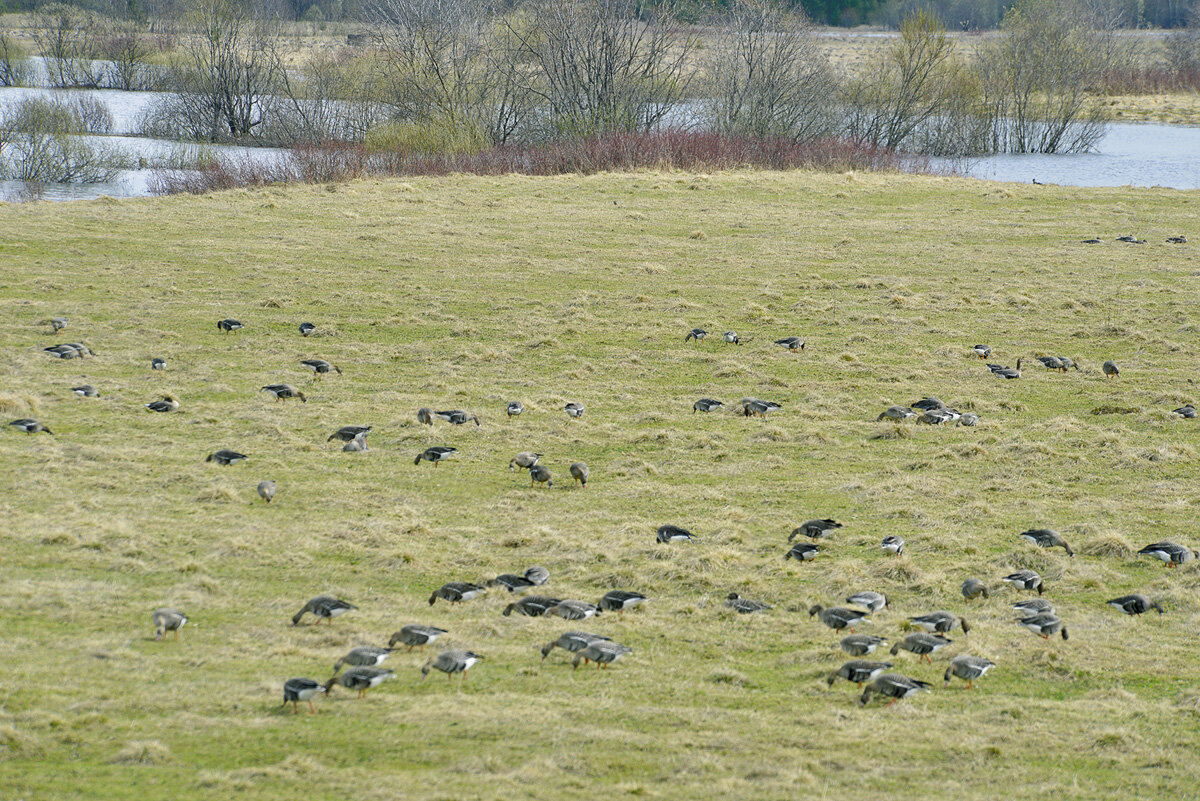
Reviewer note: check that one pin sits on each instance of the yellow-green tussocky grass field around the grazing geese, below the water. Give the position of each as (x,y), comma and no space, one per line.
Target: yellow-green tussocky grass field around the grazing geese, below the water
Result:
(467,293)
